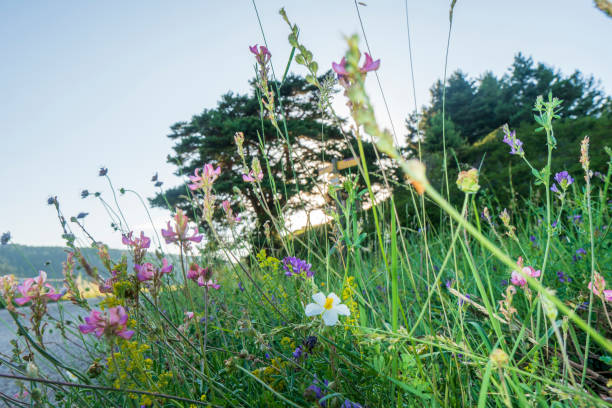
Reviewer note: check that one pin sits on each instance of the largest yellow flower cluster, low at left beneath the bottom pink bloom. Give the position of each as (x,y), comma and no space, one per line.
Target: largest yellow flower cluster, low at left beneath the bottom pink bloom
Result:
(133,370)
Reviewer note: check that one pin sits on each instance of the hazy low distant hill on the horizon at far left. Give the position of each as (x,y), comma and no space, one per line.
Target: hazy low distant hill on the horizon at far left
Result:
(25,261)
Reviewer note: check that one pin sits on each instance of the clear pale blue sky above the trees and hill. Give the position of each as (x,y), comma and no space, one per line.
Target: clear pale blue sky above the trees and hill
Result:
(85,84)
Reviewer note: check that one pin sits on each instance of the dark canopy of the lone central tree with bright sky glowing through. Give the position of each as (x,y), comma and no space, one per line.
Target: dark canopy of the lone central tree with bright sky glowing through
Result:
(307,138)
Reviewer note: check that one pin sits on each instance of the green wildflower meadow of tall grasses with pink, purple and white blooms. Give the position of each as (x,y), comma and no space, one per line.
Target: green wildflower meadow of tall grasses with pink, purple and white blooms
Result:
(427,303)
